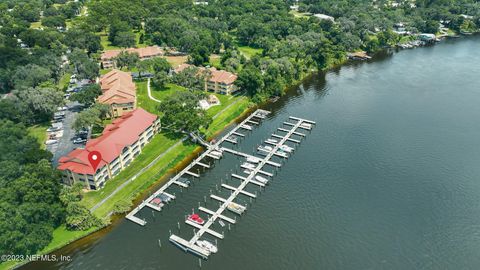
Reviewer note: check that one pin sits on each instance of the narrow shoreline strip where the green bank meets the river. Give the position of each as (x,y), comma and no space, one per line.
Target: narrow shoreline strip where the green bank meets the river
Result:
(100,232)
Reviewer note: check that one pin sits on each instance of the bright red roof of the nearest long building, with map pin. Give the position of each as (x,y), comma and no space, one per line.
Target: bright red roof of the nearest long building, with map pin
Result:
(123,131)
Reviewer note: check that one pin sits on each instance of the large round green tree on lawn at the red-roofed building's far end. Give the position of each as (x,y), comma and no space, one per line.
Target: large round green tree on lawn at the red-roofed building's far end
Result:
(182,113)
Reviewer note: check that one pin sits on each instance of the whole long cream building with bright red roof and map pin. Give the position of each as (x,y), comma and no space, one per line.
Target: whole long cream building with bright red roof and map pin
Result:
(120,142)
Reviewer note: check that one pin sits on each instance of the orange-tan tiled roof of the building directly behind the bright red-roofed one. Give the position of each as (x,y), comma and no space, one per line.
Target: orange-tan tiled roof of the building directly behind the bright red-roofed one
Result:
(117,87)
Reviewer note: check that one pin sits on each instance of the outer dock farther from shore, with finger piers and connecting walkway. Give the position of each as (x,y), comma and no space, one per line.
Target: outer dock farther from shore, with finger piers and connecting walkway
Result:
(250,179)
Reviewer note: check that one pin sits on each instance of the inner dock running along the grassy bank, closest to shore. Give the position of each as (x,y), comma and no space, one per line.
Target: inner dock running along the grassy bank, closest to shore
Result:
(258,114)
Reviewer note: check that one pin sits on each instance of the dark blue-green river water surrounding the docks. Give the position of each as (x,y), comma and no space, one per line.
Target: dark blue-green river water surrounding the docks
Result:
(388,179)
